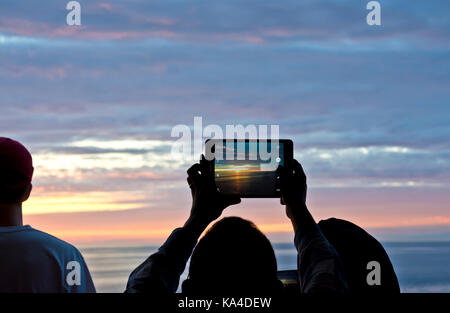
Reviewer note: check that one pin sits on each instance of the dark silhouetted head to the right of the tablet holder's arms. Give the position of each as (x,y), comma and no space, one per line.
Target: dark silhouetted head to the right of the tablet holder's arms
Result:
(356,249)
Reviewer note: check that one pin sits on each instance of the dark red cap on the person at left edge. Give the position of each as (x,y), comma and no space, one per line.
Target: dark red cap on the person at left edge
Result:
(14,157)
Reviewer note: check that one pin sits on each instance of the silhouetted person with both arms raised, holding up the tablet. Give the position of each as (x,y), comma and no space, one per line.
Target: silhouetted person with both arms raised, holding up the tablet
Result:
(234,257)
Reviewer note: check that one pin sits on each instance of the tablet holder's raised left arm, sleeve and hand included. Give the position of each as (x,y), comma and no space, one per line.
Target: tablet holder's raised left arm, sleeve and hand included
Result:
(160,273)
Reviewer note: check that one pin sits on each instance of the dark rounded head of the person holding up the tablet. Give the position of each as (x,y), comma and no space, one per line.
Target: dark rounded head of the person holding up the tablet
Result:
(233,257)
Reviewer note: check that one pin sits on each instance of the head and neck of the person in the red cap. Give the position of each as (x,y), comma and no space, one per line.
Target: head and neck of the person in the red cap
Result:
(16,173)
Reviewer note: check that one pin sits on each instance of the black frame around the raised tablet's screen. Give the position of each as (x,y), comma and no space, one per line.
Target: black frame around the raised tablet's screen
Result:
(288,157)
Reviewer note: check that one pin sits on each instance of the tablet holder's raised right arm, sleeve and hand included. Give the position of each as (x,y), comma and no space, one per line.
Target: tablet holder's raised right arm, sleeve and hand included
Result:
(319,266)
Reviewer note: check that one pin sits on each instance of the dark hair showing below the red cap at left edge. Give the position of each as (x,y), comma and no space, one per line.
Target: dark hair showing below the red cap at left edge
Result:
(12,186)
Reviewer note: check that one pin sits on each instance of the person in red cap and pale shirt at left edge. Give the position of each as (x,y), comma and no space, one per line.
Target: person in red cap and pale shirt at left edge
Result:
(31,260)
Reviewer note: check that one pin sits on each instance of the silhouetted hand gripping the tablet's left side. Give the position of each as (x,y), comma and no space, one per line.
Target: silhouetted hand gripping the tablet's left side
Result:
(207,202)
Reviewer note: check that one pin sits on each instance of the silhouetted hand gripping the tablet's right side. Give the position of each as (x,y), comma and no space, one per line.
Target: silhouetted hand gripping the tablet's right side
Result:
(293,188)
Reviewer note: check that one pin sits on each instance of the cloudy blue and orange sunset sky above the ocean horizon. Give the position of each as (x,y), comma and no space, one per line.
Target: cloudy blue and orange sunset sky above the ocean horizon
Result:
(367,108)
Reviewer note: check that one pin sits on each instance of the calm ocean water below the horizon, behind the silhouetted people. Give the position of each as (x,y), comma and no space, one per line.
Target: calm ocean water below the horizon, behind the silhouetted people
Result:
(420,267)
